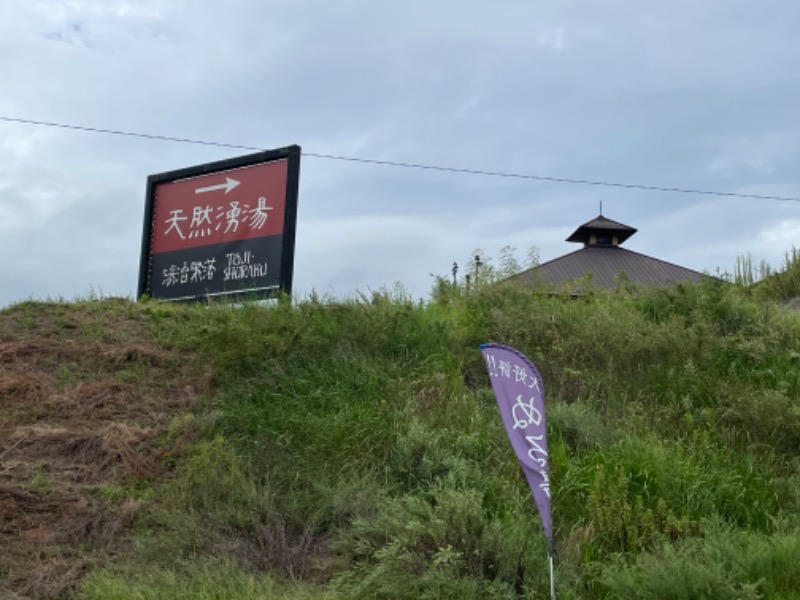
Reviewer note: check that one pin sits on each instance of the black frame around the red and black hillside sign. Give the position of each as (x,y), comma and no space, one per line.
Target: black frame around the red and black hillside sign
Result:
(292,156)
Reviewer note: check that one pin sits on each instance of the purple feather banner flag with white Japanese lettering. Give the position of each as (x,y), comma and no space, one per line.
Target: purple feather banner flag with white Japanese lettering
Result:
(519,392)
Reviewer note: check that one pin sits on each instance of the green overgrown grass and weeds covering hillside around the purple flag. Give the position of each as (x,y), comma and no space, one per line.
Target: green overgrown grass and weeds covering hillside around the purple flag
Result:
(360,440)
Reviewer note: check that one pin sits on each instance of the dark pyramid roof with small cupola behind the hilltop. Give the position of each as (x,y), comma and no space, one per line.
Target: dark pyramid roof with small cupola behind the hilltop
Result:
(606,262)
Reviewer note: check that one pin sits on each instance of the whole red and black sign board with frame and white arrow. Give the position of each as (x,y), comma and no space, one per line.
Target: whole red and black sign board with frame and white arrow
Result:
(225,228)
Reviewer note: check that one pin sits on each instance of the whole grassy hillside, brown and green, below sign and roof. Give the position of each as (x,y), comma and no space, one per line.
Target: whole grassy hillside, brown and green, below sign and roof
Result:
(333,449)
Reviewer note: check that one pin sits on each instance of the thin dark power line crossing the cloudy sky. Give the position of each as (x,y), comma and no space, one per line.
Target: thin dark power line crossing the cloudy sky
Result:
(390,163)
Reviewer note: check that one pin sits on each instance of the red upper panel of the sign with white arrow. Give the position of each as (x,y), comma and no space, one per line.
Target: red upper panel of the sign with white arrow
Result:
(222,207)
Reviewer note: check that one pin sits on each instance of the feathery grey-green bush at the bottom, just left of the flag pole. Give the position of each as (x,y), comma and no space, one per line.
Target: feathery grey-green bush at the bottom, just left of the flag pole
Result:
(441,544)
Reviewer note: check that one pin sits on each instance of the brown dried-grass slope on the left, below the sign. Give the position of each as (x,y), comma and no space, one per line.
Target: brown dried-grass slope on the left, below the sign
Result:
(86,396)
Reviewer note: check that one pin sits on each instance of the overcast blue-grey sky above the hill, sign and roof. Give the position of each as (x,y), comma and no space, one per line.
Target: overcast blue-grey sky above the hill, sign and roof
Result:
(684,94)
